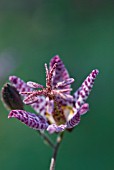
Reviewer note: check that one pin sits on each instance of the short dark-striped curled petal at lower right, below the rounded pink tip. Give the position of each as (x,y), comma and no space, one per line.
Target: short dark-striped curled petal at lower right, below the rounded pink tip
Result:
(73,121)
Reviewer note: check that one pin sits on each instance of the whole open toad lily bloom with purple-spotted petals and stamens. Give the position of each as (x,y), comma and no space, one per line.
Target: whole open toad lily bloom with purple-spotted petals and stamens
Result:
(56,108)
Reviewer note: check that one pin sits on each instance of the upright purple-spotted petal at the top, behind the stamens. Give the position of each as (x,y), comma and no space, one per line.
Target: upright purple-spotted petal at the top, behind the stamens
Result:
(61,73)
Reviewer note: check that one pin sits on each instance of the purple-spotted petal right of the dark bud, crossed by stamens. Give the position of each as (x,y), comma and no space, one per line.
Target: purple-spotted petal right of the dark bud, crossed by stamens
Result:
(21,86)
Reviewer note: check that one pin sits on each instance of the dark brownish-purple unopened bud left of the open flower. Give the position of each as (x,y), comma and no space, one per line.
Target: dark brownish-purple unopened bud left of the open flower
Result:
(11,97)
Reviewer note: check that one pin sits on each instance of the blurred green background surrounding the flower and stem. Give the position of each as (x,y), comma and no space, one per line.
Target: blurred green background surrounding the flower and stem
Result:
(82,33)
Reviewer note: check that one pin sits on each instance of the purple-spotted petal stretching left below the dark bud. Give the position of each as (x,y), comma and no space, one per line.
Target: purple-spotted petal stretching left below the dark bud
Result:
(32,120)
